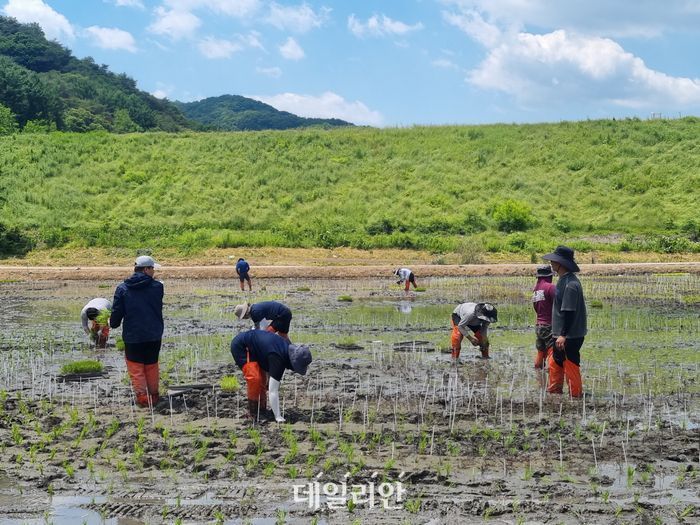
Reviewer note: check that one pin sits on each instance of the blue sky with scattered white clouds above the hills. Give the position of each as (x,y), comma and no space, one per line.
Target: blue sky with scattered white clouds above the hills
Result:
(397,62)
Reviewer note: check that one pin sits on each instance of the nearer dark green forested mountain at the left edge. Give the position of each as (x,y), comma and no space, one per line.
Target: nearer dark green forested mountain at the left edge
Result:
(42,85)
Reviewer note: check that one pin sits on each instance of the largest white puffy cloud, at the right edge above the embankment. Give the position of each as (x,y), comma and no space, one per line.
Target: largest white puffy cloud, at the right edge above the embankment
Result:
(561,67)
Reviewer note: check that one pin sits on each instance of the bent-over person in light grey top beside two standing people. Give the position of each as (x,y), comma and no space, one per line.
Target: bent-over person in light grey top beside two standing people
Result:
(472,318)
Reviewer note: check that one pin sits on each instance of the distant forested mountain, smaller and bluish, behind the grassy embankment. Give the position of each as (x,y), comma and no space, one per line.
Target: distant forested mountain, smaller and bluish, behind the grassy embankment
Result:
(236,113)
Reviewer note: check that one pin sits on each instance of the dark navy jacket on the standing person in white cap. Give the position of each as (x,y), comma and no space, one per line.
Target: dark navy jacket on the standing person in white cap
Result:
(139,302)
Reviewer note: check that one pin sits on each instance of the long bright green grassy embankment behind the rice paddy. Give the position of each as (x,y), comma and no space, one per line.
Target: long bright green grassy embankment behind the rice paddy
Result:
(614,185)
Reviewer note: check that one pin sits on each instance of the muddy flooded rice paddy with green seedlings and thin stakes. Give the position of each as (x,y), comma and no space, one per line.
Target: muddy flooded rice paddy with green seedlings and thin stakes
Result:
(381,404)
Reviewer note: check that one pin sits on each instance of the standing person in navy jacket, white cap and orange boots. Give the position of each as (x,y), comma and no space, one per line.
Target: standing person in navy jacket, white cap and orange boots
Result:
(138,301)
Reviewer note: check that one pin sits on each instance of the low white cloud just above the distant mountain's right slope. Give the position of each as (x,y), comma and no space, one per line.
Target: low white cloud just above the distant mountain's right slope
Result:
(327,105)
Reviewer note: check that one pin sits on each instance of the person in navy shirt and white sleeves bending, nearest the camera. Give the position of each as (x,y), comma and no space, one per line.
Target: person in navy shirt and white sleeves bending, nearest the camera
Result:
(263,357)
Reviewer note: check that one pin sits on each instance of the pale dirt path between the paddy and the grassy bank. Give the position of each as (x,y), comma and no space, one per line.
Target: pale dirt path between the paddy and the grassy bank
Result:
(328,272)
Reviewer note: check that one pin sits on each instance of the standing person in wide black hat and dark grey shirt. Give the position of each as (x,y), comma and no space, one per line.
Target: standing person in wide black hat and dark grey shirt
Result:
(569,325)
